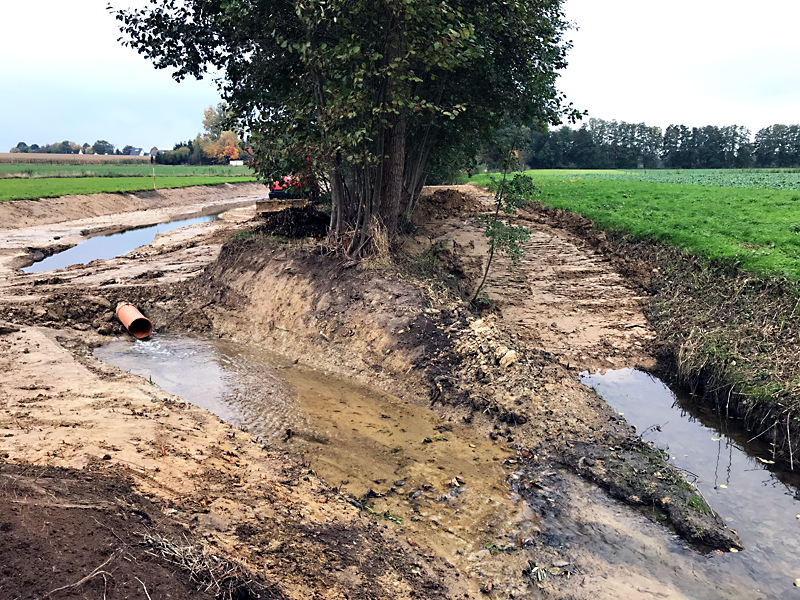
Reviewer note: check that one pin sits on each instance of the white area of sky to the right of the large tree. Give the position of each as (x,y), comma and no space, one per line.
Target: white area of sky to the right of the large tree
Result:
(702,62)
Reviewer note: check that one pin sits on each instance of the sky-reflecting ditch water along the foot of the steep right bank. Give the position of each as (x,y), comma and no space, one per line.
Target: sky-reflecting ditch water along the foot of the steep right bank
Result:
(760,502)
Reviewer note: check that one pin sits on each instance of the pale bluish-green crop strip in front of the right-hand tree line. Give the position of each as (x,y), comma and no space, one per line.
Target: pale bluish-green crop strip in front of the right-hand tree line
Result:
(775,179)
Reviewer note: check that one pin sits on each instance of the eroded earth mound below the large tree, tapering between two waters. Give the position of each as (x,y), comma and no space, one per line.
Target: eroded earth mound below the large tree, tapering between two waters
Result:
(387,331)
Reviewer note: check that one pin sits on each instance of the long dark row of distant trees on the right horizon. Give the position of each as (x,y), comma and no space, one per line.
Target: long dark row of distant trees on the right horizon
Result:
(601,144)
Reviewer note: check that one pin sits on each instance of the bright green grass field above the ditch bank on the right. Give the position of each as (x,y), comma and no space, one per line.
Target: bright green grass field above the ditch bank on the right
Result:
(759,229)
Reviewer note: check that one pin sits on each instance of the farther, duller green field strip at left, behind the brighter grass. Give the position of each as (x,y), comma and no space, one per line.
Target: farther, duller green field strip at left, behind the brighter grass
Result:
(30,171)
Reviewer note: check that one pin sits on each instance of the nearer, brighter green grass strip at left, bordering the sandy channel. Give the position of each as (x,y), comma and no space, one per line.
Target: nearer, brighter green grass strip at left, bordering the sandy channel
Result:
(22,189)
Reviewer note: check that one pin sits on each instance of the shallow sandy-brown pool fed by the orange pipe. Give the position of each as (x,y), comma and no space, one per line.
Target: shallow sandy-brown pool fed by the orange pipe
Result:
(446,484)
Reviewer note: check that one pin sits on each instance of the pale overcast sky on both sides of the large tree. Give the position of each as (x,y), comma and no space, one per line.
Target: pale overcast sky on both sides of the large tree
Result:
(63,75)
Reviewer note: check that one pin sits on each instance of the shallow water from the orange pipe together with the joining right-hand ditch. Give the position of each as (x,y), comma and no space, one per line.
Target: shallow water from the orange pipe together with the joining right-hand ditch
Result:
(447,483)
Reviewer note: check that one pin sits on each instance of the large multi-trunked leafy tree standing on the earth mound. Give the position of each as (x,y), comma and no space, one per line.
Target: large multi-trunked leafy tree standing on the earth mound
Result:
(367,93)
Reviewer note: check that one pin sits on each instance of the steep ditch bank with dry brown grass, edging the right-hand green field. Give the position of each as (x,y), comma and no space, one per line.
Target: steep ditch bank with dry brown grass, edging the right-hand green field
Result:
(730,337)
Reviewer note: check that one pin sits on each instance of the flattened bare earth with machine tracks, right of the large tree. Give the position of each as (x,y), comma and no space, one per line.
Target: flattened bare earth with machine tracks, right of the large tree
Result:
(568,299)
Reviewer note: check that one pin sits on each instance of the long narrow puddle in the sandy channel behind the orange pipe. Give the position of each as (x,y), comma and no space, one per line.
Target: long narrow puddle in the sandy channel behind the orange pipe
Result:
(105,247)
